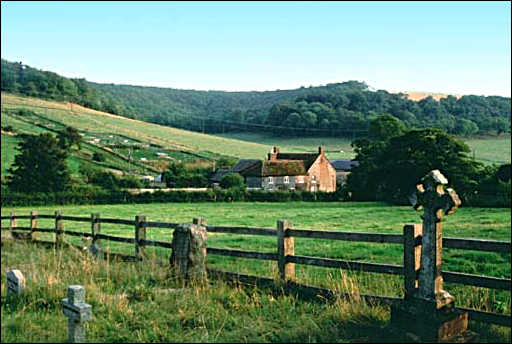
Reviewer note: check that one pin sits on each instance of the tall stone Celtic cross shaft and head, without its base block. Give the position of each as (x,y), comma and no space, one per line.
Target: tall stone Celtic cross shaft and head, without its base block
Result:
(435,201)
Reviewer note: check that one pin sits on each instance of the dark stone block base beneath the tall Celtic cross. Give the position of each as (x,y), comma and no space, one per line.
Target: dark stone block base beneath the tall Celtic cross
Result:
(414,323)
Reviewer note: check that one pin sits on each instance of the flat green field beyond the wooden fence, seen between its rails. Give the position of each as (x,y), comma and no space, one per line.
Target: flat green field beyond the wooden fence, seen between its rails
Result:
(365,217)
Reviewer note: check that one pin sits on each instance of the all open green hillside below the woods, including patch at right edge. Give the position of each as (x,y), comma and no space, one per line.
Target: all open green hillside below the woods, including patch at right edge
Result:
(180,145)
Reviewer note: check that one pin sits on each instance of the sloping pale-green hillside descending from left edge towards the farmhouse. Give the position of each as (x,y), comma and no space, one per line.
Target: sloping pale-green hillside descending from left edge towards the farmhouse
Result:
(113,136)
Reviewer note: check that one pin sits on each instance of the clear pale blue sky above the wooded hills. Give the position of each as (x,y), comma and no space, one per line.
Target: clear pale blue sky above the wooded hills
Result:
(450,47)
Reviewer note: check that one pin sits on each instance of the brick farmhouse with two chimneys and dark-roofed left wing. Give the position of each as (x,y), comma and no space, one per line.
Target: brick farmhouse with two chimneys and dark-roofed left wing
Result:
(289,171)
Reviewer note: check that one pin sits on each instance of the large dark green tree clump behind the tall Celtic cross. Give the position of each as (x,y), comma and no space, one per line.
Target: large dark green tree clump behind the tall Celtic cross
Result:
(393,159)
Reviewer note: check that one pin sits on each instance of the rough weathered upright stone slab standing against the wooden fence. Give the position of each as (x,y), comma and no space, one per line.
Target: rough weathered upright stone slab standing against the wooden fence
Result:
(189,251)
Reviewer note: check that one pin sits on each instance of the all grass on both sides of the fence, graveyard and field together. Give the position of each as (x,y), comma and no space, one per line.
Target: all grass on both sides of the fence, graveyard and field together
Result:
(128,307)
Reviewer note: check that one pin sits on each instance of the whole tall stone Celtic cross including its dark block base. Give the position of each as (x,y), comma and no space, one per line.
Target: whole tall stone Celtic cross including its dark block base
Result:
(429,314)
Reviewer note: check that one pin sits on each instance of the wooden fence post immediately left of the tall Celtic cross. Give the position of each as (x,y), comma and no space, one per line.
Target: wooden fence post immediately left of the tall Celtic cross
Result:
(412,257)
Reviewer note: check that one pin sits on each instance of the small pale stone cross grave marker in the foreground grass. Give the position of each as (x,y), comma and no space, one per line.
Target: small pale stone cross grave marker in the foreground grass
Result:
(77,311)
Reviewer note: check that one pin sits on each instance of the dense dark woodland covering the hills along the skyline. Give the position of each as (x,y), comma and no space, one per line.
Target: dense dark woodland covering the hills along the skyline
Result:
(341,109)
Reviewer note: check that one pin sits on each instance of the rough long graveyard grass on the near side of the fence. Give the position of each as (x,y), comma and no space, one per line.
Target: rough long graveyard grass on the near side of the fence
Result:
(144,302)
